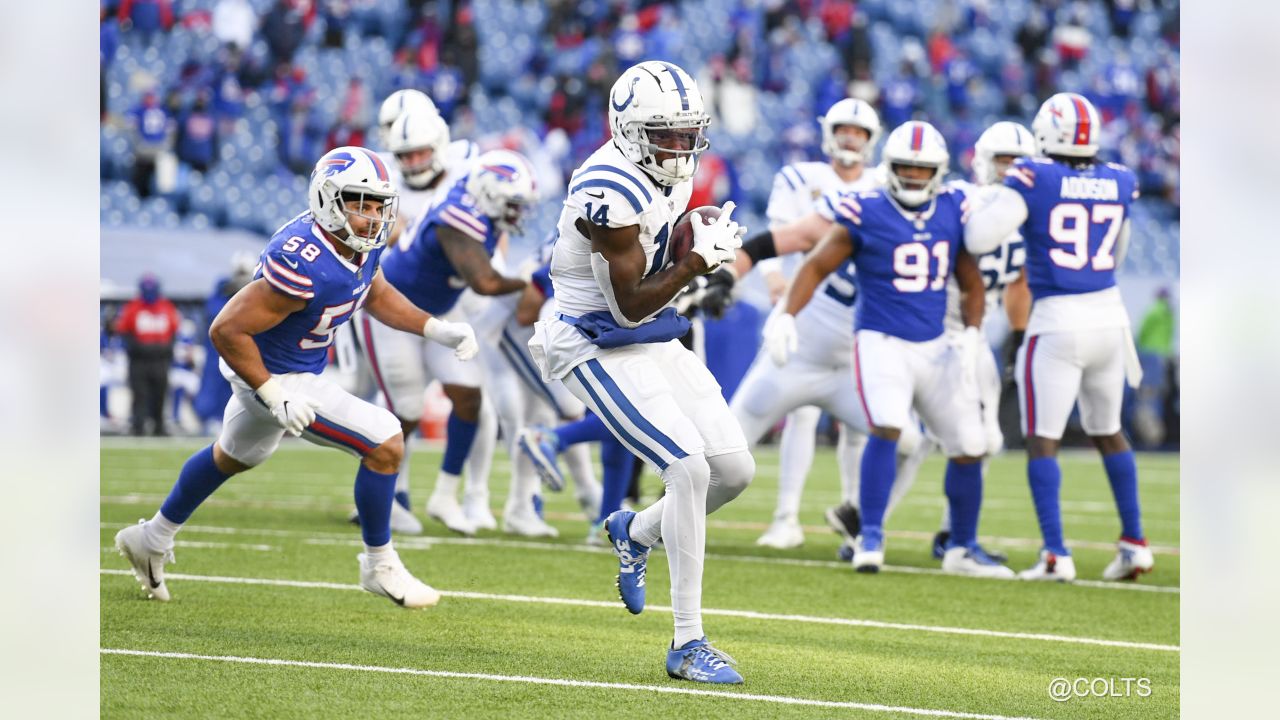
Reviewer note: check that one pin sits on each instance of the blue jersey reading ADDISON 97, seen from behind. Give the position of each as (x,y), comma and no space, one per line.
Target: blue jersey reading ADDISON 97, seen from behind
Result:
(1073,221)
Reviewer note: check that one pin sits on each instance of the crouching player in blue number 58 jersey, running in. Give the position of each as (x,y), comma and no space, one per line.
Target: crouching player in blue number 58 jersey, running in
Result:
(273,338)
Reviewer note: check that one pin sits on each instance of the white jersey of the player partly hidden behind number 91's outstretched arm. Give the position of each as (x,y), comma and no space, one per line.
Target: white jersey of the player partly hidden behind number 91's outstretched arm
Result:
(826,326)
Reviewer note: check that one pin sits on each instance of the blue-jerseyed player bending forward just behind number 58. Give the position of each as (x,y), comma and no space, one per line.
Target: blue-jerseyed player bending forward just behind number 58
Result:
(449,253)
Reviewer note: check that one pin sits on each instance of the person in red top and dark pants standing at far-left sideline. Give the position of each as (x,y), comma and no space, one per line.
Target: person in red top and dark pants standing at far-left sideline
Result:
(149,325)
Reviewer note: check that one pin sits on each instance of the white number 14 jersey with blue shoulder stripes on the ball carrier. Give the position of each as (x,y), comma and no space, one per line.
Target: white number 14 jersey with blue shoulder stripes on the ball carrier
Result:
(607,190)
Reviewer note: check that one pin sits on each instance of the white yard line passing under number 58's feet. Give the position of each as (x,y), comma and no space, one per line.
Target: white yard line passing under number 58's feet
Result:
(747,614)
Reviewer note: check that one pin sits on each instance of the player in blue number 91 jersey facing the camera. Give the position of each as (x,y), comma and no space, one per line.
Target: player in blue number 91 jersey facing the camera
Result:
(906,243)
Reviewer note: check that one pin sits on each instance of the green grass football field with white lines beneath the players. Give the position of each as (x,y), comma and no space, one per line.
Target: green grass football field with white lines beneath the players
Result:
(267,619)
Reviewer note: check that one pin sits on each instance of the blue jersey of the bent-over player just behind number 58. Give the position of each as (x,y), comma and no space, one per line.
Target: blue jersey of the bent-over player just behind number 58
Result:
(422,271)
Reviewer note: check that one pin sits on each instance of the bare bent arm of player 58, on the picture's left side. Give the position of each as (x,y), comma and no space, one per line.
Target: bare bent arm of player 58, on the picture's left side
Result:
(255,309)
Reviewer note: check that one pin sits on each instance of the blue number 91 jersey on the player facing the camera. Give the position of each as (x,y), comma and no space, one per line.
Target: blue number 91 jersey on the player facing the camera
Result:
(903,261)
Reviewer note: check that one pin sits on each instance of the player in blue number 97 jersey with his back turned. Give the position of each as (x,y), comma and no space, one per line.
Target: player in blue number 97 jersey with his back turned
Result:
(1078,344)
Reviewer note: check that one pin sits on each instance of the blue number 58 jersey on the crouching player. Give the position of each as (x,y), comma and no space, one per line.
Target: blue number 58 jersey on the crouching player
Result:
(300,263)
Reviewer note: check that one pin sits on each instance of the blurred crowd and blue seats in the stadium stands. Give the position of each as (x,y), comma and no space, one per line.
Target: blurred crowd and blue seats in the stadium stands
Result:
(207,102)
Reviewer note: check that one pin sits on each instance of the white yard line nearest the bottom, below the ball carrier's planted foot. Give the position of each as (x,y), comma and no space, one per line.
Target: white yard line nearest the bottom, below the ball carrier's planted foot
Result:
(557,682)
